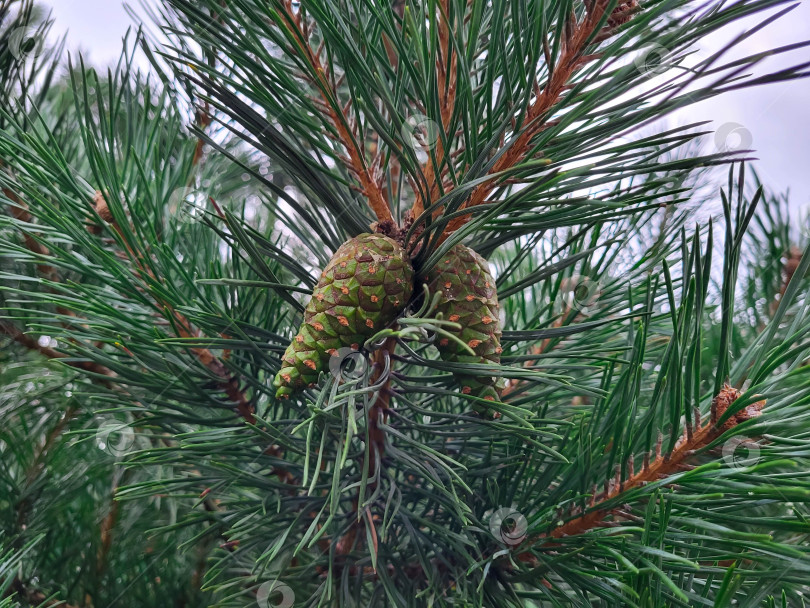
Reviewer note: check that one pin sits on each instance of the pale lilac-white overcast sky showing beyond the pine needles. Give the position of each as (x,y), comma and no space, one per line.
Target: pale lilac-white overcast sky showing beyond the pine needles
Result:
(773,118)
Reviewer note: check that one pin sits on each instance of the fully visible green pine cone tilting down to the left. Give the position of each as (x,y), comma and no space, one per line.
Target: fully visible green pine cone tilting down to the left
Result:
(365,286)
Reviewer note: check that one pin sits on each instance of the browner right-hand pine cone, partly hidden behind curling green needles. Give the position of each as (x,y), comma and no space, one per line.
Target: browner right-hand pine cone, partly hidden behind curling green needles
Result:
(469,298)
